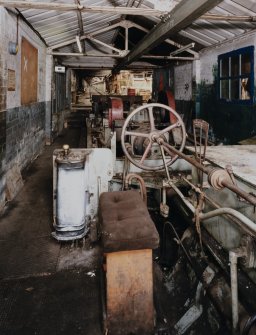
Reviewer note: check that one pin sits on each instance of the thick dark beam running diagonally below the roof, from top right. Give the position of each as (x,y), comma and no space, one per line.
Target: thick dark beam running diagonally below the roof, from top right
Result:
(179,18)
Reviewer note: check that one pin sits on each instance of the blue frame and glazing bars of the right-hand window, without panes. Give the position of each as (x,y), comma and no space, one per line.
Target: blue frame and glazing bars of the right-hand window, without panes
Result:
(232,78)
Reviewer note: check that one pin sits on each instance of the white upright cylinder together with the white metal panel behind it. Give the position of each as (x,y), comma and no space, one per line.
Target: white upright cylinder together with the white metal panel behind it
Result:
(78,181)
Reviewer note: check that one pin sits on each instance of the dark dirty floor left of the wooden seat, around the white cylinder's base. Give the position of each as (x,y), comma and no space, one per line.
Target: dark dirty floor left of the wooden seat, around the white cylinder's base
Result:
(46,287)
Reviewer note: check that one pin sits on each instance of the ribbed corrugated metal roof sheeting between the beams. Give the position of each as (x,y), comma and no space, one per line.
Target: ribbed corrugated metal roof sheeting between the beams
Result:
(60,27)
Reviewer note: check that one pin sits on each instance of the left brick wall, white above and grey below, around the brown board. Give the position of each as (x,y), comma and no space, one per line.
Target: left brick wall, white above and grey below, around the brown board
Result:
(22,128)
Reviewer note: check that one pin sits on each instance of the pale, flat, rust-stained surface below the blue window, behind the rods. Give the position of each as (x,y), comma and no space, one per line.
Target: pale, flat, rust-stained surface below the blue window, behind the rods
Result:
(240,157)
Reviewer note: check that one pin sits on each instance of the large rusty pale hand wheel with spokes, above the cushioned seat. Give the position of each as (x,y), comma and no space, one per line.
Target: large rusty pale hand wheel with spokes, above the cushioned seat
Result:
(154,136)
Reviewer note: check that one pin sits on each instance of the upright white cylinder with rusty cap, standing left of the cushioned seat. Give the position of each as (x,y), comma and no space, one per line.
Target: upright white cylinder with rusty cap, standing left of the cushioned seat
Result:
(71,196)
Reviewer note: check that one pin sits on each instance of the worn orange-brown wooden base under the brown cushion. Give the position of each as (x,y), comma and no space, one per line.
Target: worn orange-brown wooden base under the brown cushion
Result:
(130,306)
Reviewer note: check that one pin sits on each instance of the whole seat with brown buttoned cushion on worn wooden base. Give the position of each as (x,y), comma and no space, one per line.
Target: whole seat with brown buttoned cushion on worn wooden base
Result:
(128,236)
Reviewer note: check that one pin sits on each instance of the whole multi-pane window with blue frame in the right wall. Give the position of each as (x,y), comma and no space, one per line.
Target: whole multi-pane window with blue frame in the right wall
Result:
(236,75)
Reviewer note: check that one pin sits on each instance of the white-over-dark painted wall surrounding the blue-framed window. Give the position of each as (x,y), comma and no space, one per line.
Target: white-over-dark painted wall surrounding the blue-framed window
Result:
(229,123)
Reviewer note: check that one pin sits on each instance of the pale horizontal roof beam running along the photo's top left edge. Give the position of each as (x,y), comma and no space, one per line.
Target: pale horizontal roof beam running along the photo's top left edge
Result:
(74,7)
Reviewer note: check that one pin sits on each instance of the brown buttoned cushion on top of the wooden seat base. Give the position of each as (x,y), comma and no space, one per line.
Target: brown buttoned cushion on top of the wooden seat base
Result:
(125,222)
